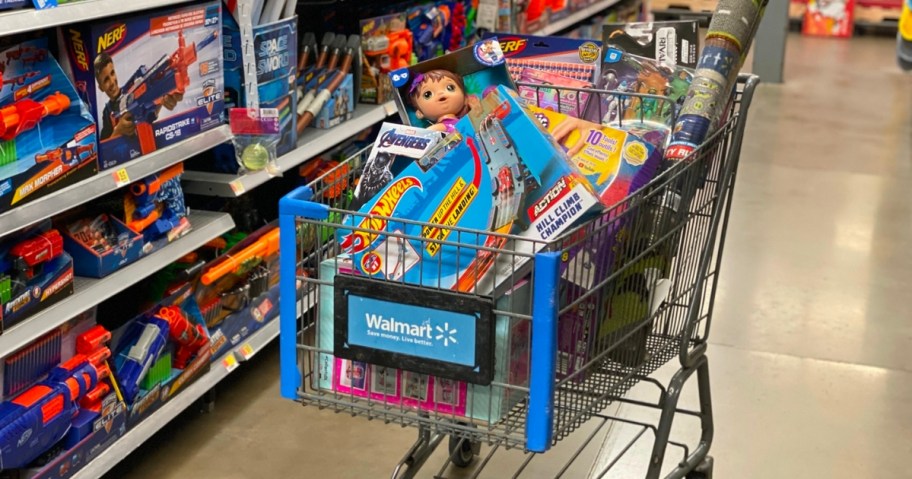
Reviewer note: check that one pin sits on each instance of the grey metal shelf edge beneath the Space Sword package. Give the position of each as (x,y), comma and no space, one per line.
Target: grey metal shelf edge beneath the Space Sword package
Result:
(312,143)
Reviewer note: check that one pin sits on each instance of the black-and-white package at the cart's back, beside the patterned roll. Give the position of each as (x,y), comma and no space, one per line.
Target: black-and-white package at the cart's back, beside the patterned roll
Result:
(670,43)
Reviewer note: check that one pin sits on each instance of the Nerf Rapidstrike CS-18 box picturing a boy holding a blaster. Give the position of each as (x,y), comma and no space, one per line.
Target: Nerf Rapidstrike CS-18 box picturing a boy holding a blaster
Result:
(151,80)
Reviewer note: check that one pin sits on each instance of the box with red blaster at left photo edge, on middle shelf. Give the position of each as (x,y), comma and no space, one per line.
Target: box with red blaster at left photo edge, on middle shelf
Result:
(35,272)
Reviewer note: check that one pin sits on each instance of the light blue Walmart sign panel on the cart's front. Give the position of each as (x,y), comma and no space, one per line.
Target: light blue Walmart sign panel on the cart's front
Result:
(413,330)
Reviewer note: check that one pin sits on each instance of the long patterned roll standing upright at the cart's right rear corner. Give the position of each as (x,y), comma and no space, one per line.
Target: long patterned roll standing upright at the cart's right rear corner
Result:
(728,39)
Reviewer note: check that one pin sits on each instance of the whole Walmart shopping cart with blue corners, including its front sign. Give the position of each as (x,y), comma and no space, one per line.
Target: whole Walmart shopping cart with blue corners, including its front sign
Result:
(568,327)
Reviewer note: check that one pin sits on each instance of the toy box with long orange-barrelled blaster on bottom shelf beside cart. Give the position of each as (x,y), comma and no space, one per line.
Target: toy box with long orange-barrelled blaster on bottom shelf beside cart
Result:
(238,291)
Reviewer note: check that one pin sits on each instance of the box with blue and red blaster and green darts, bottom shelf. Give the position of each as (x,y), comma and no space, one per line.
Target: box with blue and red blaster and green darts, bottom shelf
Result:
(158,353)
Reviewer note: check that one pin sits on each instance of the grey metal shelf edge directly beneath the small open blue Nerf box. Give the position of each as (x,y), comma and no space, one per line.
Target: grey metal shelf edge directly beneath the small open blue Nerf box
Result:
(90,292)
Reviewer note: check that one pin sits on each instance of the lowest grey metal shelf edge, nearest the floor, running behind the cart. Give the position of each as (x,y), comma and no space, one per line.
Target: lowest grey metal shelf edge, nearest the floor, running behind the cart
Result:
(139,434)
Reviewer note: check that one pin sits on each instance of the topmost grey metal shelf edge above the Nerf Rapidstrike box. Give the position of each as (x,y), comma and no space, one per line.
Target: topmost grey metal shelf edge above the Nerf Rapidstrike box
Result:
(28,19)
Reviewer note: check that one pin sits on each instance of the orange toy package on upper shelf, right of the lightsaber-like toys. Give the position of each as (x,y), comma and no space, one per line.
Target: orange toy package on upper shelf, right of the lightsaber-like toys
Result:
(386,45)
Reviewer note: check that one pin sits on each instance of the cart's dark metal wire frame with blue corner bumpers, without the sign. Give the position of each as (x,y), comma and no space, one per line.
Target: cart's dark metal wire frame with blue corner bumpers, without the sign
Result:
(638,284)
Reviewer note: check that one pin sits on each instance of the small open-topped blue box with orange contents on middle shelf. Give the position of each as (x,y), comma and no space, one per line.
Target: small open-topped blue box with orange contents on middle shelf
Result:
(101,245)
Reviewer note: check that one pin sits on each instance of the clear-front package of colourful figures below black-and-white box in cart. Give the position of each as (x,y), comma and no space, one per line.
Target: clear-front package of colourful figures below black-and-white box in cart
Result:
(623,72)
